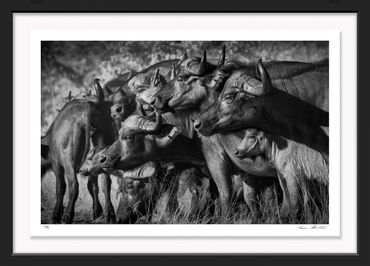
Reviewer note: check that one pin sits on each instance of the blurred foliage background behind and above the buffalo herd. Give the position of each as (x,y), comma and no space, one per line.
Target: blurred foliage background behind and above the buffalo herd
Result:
(72,66)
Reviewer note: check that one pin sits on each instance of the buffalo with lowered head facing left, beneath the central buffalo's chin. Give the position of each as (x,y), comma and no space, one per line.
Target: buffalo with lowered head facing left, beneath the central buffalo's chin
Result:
(137,145)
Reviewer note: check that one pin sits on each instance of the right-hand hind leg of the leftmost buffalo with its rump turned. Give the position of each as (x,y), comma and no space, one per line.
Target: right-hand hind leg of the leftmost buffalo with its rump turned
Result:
(73,195)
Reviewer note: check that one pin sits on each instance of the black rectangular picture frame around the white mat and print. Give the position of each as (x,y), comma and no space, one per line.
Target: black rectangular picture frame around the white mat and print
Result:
(7,256)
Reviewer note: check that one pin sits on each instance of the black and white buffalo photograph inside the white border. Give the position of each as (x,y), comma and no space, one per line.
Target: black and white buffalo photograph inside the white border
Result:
(185,132)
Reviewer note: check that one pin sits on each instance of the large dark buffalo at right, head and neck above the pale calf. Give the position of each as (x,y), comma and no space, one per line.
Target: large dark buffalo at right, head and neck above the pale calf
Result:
(294,107)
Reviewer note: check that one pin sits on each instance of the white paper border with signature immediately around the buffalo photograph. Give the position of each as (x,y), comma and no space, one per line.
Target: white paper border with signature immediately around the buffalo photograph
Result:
(332,229)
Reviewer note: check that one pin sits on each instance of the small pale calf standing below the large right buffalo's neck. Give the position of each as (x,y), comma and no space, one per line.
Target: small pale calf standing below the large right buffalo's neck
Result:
(295,163)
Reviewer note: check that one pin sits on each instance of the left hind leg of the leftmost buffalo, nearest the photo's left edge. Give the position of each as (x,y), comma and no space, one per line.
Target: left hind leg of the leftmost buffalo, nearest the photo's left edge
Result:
(60,187)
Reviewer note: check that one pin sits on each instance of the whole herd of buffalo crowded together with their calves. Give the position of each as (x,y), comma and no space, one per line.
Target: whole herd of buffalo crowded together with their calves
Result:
(181,121)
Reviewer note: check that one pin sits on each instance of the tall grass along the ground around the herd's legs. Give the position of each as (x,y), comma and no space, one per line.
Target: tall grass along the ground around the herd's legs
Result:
(189,211)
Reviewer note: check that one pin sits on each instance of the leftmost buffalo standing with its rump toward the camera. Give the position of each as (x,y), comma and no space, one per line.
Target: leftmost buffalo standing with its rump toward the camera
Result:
(64,149)
